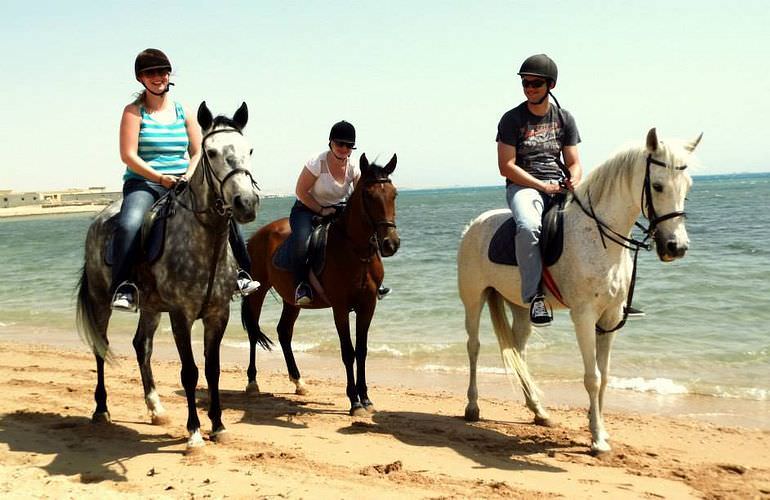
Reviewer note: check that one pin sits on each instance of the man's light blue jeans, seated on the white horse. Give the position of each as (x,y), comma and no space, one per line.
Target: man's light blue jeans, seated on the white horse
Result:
(528,206)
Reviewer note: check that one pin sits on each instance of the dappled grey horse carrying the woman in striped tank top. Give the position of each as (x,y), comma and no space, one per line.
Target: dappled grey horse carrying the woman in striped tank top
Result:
(193,278)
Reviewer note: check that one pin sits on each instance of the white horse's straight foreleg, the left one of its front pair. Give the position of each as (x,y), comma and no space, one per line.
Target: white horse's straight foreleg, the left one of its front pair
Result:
(586,337)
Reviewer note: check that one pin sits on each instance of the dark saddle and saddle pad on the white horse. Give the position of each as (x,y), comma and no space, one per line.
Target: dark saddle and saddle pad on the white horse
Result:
(502,247)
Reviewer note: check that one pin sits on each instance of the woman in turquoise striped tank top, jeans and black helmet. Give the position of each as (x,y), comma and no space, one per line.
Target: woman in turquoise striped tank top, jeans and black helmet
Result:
(159,140)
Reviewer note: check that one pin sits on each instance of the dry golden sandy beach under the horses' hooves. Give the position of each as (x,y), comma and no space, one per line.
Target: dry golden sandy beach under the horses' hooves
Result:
(283,445)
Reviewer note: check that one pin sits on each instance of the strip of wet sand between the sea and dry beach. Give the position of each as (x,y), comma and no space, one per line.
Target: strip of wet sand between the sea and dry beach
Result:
(410,376)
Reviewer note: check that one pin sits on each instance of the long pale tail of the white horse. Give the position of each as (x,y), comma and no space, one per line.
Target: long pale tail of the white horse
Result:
(512,359)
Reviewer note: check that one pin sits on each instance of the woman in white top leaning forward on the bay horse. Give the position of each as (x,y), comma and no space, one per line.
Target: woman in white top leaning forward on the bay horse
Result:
(326,180)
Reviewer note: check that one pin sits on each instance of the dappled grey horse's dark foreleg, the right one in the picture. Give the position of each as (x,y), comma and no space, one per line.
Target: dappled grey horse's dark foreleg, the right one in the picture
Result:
(214,329)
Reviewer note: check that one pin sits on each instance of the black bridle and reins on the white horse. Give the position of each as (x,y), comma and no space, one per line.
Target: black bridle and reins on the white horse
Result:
(632,244)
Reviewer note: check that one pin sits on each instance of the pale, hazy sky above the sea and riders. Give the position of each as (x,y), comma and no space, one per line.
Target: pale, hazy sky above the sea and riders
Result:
(428,80)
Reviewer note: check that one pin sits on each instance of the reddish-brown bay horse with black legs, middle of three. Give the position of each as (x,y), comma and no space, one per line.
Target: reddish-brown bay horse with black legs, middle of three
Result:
(365,230)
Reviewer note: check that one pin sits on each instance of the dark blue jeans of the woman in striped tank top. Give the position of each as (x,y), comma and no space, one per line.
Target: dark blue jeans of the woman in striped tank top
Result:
(138,196)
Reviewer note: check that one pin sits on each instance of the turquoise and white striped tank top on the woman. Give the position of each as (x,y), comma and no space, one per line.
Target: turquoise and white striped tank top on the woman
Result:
(162,146)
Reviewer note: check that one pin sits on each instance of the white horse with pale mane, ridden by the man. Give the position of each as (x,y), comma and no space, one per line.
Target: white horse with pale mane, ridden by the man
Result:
(594,273)
